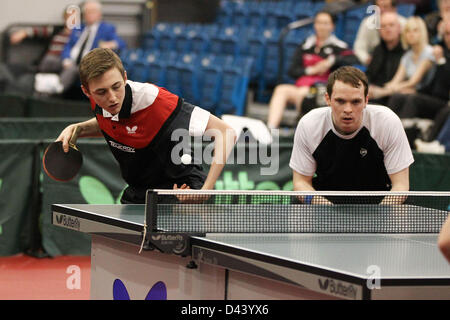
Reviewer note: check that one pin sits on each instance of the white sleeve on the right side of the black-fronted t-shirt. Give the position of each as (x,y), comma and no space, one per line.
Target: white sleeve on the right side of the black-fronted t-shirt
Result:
(397,152)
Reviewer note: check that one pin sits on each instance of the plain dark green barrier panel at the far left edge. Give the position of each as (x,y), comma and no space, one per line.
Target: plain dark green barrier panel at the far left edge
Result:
(16,195)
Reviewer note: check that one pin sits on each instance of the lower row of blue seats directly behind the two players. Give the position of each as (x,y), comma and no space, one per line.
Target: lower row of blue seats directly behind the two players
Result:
(218,83)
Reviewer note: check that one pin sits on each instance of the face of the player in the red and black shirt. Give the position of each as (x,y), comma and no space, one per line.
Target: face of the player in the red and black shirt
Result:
(107,90)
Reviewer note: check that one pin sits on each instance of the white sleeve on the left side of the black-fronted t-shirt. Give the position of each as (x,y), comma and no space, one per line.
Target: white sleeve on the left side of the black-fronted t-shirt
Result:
(302,160)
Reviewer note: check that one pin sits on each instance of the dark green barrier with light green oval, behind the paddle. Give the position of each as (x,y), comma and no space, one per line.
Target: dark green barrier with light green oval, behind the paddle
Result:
(99,182)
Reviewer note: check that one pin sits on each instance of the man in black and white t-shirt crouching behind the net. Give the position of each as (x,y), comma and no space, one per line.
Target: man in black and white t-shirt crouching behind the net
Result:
(350,145)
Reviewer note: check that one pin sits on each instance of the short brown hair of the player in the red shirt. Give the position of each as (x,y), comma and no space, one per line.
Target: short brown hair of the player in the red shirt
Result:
(96,63)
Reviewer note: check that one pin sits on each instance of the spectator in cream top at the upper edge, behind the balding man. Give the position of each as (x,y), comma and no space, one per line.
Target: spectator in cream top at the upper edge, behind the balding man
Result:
(368,36)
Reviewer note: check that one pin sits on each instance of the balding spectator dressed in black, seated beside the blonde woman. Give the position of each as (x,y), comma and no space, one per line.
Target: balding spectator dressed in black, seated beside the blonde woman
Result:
(386,56)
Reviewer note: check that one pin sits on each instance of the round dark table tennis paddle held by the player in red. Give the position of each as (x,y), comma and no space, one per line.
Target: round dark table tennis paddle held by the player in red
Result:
(60,165)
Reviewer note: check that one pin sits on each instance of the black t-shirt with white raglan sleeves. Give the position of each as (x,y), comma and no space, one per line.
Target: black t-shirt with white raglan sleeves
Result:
(361,161)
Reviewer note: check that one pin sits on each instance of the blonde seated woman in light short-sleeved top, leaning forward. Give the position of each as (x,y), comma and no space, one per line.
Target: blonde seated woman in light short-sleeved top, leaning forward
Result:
(416,69)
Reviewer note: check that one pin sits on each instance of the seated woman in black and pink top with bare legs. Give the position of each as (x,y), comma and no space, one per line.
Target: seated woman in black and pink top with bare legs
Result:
(311,63)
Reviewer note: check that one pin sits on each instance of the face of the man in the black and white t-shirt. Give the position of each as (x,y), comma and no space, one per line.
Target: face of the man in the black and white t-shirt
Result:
(347,105)
